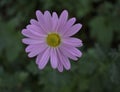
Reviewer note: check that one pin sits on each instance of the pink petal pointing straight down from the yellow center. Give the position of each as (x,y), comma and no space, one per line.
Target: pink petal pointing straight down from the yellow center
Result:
(53,58)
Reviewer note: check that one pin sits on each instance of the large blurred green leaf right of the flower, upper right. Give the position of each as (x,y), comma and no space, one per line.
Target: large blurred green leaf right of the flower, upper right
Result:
(101,31)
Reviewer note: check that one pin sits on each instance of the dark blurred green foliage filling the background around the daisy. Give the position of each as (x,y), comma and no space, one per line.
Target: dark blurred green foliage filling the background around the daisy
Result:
(97,71)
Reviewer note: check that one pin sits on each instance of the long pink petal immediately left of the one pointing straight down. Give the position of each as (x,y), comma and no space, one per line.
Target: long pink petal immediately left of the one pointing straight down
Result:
(44,59)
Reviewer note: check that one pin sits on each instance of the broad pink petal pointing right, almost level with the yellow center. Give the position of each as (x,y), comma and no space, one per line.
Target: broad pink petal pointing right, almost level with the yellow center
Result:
(73,42)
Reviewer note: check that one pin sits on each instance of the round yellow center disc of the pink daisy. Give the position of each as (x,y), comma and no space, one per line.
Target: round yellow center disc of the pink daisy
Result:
(53,40)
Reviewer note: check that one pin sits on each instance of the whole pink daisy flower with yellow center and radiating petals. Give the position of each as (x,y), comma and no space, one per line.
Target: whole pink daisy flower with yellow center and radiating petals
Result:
(49,39)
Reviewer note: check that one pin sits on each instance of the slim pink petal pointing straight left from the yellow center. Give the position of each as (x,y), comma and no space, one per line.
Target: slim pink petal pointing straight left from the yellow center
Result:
(32,41)
